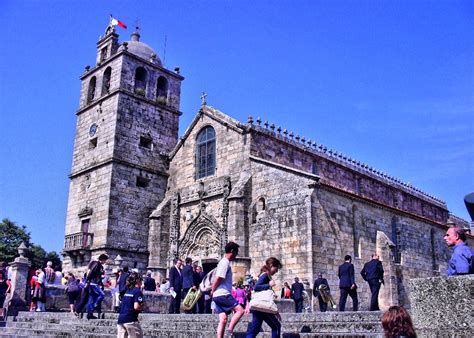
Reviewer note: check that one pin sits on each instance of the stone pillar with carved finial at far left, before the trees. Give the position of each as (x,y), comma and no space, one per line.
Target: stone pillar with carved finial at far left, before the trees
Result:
(19,297)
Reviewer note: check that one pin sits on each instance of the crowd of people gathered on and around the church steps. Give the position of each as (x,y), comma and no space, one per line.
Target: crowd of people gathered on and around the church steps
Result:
(223,297)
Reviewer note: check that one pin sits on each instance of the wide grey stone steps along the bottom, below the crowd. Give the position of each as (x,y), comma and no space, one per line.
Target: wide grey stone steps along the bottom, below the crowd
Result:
(61,324)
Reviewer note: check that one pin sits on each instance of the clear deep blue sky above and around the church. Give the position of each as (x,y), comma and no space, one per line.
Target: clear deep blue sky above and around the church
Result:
(389,83)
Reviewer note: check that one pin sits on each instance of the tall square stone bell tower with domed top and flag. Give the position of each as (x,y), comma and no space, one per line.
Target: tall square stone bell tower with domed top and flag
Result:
(127,120)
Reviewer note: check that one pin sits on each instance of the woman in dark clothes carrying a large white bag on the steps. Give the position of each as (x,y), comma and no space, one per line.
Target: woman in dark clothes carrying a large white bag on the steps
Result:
(265,282)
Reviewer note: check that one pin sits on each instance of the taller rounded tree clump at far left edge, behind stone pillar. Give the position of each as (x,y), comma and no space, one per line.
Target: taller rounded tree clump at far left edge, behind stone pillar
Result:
(11,238)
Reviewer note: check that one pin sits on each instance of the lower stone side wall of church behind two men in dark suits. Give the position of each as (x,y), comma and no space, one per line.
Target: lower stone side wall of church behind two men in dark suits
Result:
(344,225)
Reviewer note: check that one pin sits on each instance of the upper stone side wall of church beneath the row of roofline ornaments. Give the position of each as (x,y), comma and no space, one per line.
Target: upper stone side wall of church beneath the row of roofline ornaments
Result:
(344,174)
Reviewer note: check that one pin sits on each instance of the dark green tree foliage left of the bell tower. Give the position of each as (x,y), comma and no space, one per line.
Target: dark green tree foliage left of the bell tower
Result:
(10,240)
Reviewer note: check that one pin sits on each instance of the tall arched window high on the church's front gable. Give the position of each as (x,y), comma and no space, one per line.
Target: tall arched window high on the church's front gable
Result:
(206,152)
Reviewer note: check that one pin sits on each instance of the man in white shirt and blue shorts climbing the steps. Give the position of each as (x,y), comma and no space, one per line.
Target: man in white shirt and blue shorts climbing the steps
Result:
(221,292)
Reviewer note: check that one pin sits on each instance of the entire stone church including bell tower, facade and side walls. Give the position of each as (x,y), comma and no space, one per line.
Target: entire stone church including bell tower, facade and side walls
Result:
(145,195)
